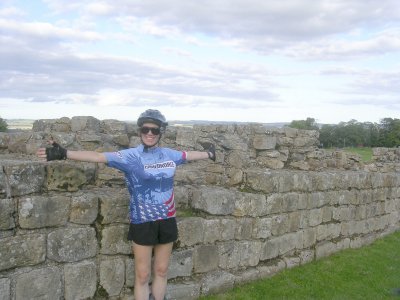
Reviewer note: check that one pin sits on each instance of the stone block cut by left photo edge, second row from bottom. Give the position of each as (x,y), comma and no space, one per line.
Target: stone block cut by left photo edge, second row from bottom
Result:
(22,251)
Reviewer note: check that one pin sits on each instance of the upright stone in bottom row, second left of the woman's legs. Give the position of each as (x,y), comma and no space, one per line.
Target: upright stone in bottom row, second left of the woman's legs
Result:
(80,280)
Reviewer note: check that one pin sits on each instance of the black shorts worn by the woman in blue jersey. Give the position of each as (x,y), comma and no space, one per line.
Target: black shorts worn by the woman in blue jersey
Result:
(153,233)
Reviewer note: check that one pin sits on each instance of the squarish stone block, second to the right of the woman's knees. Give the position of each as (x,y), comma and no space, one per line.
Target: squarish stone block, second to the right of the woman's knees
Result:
(205,258)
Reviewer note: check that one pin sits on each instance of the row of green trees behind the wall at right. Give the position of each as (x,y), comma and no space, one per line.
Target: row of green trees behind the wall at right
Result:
(386,133)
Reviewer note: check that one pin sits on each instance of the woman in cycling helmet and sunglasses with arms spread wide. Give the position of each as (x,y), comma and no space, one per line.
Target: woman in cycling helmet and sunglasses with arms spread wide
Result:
(149,171)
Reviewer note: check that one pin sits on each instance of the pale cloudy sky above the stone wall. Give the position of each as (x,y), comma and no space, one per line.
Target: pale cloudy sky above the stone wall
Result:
(217,60)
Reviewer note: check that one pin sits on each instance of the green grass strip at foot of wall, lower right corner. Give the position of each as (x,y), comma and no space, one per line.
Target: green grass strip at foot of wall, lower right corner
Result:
(371,272)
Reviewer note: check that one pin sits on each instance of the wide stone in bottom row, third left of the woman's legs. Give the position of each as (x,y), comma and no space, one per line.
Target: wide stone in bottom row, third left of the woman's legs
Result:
(39,284)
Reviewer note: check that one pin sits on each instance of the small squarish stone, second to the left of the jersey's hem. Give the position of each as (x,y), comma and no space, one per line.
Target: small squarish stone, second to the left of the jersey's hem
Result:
(84,208)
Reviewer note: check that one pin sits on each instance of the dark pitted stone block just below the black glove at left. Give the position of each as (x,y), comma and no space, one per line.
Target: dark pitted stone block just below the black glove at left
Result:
(69,176)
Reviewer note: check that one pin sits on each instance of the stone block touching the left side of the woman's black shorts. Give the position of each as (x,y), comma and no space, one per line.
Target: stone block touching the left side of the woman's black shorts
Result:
(114,240)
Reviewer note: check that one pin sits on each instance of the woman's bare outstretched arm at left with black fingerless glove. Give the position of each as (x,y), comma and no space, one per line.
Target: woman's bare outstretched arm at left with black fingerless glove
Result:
(56,152)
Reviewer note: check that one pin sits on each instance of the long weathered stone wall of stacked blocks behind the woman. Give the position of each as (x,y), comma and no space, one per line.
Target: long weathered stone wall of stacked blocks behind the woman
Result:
(272,200)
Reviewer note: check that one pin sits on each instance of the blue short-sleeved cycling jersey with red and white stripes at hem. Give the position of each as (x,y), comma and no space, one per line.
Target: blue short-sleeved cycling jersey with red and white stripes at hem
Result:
(149,175)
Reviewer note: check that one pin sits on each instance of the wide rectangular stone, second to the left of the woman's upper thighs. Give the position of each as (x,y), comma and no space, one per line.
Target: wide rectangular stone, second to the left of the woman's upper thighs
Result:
(71,244)
